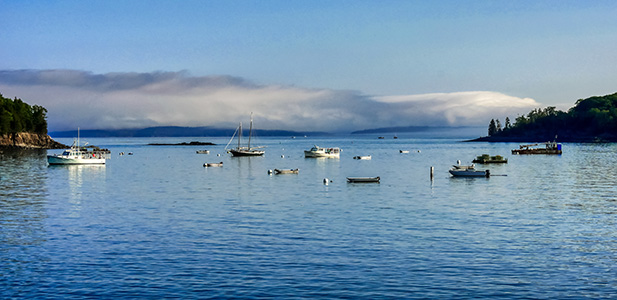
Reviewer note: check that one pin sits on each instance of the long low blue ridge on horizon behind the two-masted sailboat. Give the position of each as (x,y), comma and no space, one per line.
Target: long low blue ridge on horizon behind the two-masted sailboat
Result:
(174,131)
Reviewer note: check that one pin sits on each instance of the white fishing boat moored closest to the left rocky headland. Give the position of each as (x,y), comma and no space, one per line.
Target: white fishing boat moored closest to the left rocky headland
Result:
(79,155)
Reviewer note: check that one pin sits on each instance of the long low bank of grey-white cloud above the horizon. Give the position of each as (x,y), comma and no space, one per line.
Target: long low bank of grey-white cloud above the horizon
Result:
(133,100)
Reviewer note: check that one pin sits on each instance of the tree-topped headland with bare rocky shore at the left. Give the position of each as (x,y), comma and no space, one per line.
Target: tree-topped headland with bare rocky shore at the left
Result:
(24,126)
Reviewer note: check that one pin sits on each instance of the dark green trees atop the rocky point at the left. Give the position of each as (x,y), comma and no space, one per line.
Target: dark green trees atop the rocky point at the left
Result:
(17,116)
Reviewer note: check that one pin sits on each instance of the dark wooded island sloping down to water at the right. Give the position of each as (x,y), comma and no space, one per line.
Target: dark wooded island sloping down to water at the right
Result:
(590,120)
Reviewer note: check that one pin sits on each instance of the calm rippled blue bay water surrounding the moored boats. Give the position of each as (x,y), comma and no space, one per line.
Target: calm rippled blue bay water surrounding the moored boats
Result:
(157,224)
